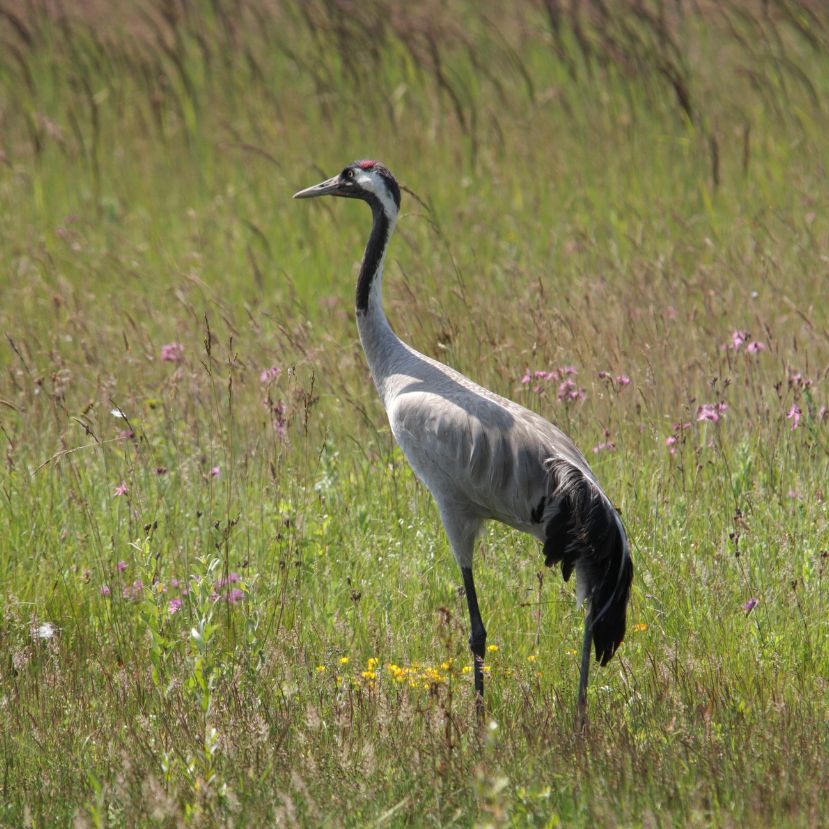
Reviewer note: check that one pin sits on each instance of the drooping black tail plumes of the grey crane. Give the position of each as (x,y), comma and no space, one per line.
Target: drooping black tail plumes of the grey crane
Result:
(583,531)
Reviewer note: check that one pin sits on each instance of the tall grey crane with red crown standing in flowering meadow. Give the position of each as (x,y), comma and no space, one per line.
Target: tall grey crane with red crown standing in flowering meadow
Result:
(484,457)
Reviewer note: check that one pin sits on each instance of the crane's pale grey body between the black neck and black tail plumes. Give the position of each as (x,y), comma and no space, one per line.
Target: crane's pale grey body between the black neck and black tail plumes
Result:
(481,455)
